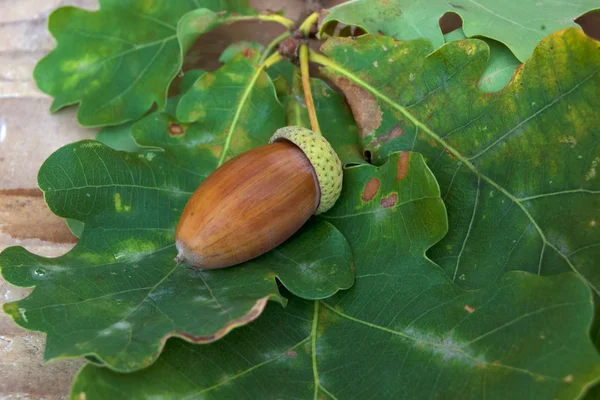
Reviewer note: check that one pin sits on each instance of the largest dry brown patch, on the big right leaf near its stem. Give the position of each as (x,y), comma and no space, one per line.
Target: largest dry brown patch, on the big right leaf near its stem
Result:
(366,111)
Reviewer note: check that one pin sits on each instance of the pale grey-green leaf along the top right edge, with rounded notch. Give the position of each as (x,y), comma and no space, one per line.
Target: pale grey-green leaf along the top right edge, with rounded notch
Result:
(518,24)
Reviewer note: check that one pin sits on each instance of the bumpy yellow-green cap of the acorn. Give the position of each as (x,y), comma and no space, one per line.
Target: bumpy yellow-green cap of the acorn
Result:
(323,158)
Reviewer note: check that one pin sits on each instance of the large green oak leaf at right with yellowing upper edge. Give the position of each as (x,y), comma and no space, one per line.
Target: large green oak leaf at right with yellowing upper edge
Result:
(517,168)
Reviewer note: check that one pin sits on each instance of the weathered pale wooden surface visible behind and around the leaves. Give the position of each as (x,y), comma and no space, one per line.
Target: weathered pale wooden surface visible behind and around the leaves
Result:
(28,135)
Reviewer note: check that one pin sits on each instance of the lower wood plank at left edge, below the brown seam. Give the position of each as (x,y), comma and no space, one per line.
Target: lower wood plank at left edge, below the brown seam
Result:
(26,220)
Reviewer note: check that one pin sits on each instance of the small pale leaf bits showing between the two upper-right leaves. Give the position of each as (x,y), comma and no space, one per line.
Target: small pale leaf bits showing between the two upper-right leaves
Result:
(501,65)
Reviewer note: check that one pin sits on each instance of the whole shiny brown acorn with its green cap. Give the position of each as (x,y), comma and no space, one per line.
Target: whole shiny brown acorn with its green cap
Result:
(258,199)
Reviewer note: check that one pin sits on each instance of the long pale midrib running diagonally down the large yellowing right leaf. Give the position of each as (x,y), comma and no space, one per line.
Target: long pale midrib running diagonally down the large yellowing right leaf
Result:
(328,63)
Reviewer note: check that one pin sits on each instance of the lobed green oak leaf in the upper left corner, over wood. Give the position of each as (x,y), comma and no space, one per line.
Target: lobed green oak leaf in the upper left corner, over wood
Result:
(119,61)
